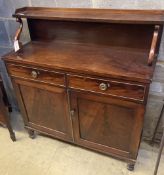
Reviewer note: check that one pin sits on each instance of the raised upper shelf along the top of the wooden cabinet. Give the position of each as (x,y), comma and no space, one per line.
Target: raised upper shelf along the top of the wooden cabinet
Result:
(95,15)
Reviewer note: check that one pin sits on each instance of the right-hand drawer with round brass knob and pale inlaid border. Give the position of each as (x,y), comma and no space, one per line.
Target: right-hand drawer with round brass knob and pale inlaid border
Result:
(107,87)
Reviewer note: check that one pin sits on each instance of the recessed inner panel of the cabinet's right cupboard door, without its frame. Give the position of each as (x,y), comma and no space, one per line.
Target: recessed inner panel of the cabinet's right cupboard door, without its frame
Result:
(99,122)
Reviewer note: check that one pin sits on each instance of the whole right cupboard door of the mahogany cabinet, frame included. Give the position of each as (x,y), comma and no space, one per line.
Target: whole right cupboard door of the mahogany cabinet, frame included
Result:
(107,125)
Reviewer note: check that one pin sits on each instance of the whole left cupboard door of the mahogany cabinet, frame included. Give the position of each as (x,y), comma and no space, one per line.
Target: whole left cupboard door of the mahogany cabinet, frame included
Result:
(45,108)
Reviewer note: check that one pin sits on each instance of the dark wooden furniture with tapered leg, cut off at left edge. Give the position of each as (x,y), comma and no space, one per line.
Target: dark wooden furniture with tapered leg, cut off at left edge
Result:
(4,111)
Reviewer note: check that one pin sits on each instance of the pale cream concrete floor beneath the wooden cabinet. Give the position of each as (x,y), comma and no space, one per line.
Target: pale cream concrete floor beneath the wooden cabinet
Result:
(47,156)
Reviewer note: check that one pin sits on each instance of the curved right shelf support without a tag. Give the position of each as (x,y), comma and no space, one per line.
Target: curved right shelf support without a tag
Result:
(152,53)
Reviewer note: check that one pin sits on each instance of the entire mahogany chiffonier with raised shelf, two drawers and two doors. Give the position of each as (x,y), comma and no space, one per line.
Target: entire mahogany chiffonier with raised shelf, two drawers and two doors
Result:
(84,77)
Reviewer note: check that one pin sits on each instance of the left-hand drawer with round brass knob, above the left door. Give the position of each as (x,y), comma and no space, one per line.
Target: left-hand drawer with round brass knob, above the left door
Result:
(36,74)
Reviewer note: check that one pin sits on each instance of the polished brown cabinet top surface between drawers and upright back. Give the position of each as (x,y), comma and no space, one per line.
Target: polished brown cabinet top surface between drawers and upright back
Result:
(111,62)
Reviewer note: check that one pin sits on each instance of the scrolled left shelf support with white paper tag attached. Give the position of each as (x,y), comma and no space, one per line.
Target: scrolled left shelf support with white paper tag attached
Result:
(17,43)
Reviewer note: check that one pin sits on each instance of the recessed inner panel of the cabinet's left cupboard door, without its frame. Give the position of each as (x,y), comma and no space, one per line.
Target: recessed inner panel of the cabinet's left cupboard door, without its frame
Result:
(43,106)
